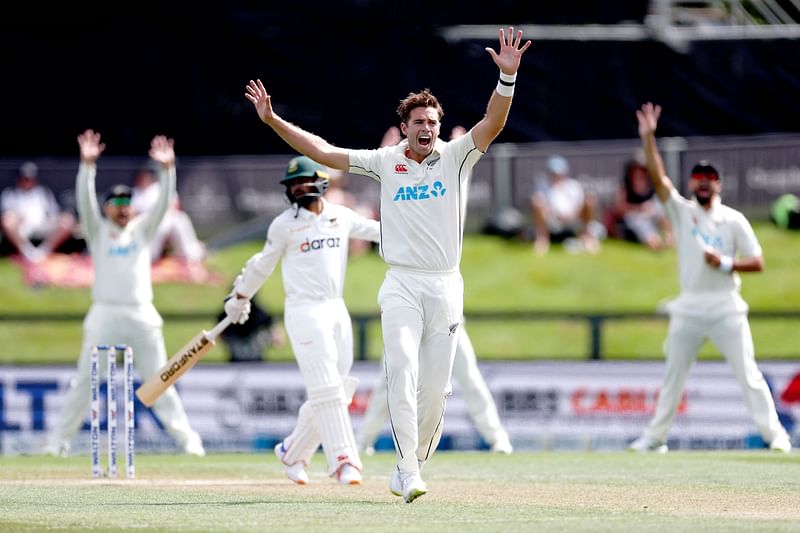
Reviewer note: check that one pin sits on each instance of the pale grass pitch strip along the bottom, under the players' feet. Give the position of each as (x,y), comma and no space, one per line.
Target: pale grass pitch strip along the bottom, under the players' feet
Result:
(541,491)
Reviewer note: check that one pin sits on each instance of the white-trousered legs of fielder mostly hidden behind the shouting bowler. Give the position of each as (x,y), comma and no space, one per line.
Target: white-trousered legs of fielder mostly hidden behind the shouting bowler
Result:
(477,397)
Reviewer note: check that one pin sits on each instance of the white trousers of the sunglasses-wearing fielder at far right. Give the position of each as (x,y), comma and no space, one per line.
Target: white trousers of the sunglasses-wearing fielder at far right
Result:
(731,335)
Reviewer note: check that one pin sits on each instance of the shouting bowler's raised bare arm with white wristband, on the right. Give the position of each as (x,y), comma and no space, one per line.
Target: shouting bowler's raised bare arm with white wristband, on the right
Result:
(507,60)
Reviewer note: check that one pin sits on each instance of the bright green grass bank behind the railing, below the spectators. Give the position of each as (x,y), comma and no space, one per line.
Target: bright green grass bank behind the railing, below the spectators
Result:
(499,275)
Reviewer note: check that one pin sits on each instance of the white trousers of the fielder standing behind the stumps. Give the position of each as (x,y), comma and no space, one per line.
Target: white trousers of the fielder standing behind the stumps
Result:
(140,328)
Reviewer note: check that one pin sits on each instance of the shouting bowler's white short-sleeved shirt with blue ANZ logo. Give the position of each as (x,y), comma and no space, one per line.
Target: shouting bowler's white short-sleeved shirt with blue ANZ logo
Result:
(423,205)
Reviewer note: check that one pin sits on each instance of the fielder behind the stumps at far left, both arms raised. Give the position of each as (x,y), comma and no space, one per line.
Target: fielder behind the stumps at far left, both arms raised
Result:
(122,310)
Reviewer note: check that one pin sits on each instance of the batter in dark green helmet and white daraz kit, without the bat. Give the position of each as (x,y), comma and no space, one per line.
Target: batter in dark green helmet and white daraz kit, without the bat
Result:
(311,240)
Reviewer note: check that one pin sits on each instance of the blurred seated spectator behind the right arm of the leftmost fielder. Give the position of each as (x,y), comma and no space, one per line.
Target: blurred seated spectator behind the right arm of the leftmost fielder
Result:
(176,232)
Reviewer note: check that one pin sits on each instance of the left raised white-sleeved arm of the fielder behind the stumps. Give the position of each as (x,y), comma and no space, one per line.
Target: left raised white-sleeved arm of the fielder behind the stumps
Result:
(85,190)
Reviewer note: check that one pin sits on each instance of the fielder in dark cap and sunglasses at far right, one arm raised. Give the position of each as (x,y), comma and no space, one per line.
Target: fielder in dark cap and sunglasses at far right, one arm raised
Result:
(715,243)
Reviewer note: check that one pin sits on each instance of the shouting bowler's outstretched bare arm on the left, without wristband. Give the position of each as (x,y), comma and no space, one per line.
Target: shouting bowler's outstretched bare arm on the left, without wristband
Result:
(305,142)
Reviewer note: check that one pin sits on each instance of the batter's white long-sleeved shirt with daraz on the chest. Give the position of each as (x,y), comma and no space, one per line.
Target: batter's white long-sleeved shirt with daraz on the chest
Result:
(313,250)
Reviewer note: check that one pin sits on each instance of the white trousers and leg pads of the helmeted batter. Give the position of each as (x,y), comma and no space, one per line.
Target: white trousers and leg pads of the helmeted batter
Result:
(321,335)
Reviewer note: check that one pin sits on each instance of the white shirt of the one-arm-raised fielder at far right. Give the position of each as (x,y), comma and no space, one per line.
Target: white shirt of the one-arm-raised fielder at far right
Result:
(706,290)
